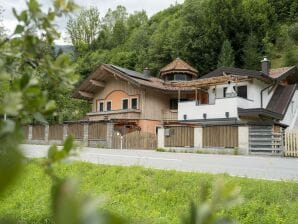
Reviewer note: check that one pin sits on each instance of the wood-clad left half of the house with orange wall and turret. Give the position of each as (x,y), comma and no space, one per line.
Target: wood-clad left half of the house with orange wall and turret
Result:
(136,101)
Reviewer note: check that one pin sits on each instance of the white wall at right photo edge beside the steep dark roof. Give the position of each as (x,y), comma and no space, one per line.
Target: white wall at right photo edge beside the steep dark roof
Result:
(291,115)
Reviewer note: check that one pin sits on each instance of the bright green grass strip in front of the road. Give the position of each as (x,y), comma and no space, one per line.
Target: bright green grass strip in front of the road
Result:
(149,196)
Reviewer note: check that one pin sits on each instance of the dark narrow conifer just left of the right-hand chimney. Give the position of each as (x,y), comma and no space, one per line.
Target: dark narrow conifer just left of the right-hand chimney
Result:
(251,56)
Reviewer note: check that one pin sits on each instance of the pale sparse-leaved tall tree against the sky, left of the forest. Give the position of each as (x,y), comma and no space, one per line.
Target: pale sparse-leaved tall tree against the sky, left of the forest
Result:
(84,28)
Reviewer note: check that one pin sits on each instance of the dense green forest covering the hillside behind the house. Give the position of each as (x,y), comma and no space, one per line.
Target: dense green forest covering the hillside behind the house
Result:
(205,33)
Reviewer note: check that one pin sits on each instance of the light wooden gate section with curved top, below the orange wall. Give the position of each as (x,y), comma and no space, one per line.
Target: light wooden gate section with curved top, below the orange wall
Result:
(134,140)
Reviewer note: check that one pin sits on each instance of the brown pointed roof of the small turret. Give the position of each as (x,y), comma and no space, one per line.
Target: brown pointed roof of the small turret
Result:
(178,65)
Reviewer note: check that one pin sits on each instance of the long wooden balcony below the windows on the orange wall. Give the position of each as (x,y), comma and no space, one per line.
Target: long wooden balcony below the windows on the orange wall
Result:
(115,114)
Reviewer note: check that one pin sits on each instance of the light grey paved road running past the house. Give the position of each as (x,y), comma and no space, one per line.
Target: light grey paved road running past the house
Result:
(273,168)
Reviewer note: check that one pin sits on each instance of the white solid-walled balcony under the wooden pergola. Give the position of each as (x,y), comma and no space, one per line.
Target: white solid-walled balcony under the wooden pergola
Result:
(223,108)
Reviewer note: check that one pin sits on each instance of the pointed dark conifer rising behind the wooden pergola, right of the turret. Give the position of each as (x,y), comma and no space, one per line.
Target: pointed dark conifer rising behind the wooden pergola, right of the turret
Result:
(226,56)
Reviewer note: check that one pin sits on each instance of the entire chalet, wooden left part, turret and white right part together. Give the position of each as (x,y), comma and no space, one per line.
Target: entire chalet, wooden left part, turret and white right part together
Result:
(215,110)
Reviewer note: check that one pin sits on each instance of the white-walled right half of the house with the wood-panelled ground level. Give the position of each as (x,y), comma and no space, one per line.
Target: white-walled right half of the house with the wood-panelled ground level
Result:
(244,106)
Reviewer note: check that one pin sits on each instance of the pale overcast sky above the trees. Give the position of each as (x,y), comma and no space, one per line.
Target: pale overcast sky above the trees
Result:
(150,6)
